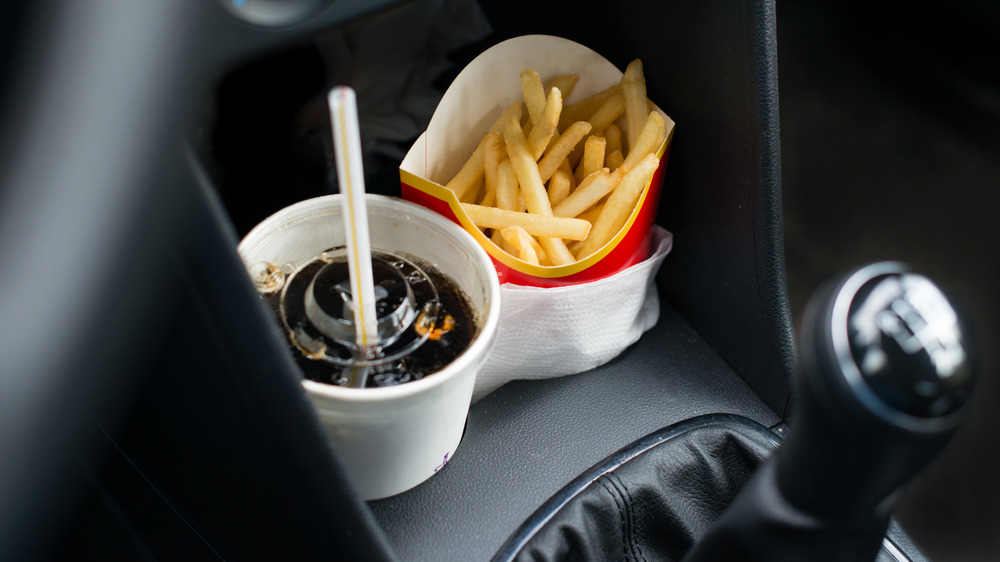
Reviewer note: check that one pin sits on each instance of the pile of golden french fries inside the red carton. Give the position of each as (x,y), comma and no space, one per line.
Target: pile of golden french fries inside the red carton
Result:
(556,185)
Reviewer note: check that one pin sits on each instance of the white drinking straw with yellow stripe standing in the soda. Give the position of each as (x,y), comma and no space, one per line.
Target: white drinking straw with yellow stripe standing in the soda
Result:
(350,175)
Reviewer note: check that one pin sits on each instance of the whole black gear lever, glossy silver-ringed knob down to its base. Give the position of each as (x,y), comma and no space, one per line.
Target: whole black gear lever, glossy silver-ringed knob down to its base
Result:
(885,373)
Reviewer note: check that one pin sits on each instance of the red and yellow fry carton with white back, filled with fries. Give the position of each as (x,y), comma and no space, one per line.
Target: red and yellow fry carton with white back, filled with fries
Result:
(480,100)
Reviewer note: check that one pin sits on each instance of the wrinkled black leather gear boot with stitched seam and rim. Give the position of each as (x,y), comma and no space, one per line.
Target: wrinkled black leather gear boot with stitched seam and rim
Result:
(649,501)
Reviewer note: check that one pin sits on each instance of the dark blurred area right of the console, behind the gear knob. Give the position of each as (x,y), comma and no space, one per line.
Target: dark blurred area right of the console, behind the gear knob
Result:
(890,128)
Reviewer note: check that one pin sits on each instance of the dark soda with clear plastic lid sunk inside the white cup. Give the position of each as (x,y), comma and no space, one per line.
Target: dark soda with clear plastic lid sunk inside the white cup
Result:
(425,321)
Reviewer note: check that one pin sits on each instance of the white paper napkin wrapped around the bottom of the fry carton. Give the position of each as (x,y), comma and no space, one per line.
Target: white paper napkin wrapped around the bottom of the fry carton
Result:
(553,332)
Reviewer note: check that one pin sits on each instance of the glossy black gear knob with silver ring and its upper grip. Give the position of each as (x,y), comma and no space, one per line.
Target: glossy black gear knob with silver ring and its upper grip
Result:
(885,372)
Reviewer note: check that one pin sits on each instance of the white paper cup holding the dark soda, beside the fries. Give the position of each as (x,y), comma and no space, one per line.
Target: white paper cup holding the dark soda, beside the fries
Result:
(391,438)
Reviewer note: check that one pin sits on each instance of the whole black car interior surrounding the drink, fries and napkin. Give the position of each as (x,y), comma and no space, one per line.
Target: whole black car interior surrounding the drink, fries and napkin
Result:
(823,155)
